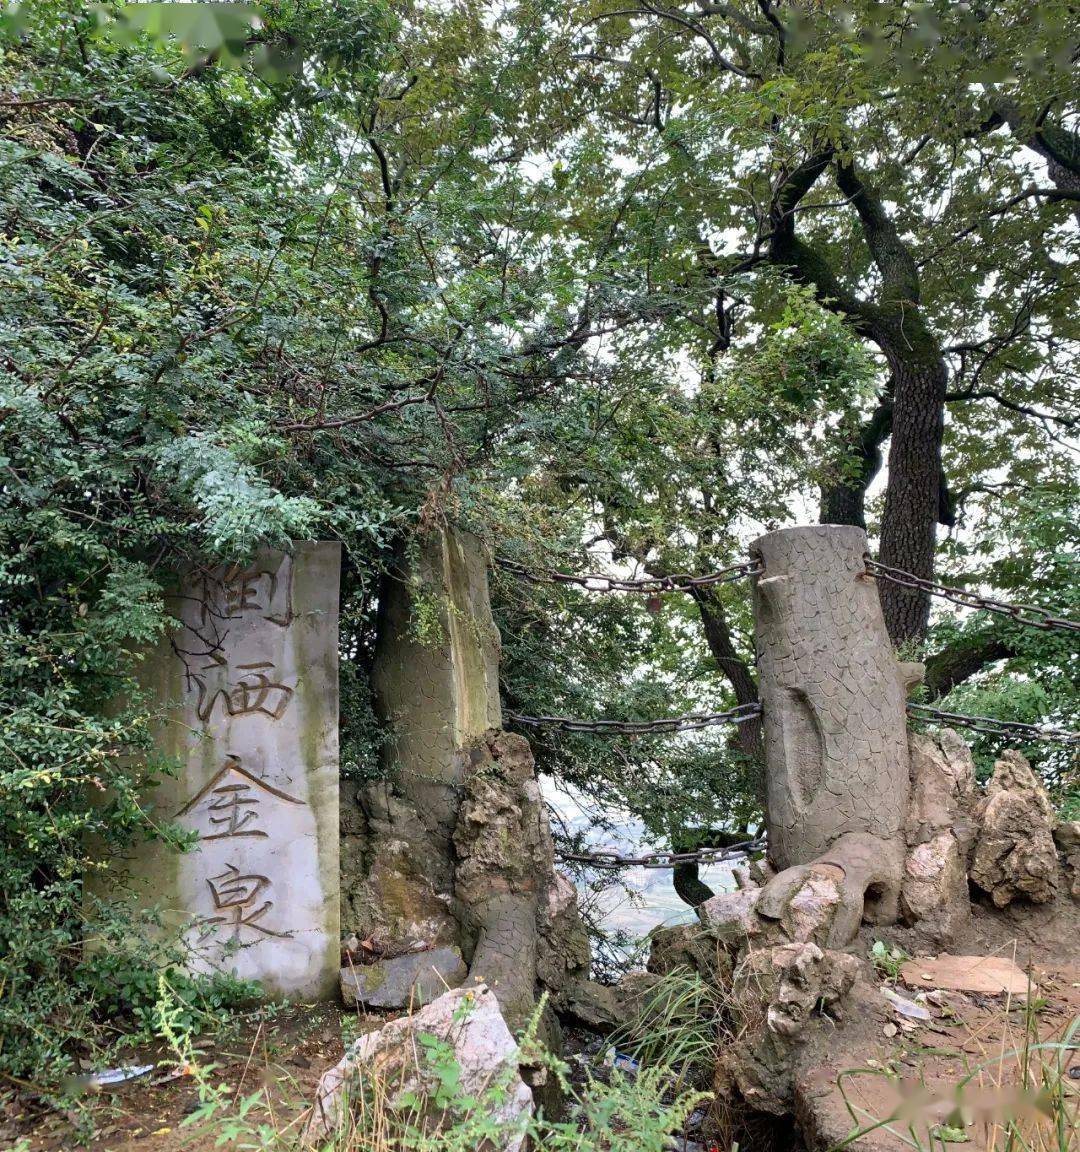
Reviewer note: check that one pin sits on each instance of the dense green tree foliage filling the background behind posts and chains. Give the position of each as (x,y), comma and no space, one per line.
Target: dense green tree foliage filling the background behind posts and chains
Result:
(606,284)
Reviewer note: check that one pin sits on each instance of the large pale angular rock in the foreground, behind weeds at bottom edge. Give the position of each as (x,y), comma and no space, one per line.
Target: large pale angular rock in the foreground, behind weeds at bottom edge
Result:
(393,1063)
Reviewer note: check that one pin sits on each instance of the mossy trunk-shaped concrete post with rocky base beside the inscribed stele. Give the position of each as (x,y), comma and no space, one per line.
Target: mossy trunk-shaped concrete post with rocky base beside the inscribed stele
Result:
(453,847)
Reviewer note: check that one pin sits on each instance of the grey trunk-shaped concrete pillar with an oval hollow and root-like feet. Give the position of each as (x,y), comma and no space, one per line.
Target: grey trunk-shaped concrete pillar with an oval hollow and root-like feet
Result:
(835,724)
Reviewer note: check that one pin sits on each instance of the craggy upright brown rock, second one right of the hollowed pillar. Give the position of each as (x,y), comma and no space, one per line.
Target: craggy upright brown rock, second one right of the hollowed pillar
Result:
(1015,854)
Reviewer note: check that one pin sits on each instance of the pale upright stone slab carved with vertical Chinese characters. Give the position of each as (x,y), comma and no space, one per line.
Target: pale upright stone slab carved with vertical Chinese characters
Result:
(250,688)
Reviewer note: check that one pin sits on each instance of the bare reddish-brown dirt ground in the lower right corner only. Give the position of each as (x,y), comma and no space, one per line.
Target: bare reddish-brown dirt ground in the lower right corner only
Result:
(962,1072)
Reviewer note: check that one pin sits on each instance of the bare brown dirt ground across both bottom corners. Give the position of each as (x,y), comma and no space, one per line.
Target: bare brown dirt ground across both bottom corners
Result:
(956,1068)
